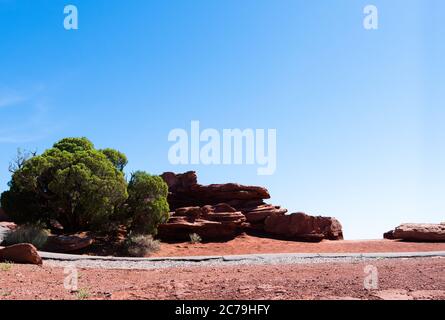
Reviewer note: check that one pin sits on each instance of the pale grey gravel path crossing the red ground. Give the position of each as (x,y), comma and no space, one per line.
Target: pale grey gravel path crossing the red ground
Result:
(58,260)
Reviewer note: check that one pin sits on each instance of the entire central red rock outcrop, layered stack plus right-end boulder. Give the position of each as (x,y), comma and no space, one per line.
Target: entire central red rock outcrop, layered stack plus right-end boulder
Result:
(222,211)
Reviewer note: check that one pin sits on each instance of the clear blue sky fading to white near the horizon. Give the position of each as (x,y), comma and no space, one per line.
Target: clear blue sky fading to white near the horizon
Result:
(359,114)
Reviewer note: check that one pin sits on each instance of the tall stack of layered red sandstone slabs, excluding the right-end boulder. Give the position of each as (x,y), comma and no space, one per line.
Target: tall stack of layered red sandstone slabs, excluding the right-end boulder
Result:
(215,212)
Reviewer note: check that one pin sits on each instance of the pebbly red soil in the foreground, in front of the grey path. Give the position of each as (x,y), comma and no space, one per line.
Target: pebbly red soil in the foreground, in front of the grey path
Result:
(397,279)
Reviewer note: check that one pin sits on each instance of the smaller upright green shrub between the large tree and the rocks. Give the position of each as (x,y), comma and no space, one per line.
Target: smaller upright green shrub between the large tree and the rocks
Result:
(147,204)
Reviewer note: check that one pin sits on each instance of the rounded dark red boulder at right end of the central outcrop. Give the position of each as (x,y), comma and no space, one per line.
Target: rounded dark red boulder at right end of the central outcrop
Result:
(300,226)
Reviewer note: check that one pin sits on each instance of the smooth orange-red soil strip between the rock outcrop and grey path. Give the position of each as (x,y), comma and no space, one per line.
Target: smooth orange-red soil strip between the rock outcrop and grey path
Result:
(247,244)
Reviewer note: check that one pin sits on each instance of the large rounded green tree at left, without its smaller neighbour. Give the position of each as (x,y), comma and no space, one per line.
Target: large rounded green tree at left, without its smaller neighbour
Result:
(73,183)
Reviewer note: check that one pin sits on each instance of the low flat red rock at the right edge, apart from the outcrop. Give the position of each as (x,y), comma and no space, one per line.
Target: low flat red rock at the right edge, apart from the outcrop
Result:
(420,232)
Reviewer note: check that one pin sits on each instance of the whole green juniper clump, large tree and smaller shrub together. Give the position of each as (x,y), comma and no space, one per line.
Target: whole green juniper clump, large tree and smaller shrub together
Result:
(84,189)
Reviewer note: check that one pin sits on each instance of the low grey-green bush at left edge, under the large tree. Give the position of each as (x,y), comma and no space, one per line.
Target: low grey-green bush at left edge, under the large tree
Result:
(29,233)
